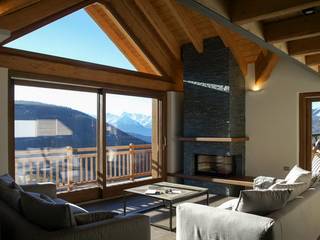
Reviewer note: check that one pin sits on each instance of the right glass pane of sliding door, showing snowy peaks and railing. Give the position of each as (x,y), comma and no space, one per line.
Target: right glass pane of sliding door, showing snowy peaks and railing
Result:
(131,138)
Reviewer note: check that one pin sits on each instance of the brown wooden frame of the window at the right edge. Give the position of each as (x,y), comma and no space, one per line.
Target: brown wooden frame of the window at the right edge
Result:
(305,128)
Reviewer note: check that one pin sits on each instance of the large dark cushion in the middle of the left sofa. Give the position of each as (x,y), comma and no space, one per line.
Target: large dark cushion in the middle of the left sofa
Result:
(45,212)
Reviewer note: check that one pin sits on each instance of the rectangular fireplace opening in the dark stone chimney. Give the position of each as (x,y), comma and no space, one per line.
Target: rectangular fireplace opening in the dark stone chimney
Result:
(214,165)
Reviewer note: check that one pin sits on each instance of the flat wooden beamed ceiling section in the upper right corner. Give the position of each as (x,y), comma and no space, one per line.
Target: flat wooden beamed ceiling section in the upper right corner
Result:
(292,26)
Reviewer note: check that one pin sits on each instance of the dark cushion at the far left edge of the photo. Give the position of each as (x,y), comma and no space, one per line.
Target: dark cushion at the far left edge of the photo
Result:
(10,192)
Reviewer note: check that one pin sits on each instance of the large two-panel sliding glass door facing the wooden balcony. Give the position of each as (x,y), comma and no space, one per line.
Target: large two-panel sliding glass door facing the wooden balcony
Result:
(58,136)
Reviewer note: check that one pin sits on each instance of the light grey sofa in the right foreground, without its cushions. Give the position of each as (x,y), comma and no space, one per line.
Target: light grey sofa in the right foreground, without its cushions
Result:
(298,220)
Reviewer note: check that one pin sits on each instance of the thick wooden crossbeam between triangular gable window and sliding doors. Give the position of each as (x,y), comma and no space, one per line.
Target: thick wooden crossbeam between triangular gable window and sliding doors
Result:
(79,71)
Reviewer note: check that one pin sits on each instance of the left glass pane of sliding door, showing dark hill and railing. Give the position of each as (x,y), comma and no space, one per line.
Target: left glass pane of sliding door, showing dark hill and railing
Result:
(55,137)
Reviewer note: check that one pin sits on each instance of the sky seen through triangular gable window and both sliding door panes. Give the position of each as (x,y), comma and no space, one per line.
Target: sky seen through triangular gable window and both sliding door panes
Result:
(77,36)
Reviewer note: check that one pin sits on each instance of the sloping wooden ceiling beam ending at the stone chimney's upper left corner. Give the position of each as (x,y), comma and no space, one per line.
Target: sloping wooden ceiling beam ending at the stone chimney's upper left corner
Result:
(151,13)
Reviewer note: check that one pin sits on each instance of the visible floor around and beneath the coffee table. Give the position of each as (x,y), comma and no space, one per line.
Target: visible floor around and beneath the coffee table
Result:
(150,207)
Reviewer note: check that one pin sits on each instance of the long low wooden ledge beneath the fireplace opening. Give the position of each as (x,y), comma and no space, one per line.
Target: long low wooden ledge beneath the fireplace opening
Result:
(245,181)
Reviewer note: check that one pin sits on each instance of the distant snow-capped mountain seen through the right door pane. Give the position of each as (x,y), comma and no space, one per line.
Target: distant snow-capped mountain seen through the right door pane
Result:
(135,124)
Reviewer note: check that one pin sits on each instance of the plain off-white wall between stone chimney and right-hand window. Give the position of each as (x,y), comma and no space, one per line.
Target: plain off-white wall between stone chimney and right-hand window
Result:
(272,120)
